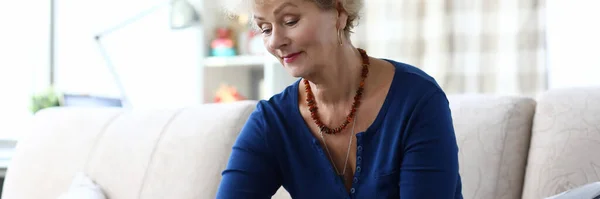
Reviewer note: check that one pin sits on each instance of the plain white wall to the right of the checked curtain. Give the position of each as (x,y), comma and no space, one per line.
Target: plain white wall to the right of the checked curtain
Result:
(574,43)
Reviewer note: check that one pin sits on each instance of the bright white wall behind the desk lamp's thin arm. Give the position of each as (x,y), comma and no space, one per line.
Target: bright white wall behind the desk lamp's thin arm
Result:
(158,66)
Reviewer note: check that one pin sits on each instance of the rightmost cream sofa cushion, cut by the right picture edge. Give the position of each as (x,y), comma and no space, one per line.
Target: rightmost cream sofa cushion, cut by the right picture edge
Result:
(565,145)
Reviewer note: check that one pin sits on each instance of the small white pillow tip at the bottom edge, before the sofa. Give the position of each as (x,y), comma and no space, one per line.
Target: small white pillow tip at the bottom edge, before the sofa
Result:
(83,187)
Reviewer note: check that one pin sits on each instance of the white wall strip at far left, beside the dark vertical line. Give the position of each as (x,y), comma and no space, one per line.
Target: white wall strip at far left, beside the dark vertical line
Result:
(24,61)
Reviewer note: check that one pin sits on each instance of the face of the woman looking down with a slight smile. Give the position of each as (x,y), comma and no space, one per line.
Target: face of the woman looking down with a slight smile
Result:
(300,34)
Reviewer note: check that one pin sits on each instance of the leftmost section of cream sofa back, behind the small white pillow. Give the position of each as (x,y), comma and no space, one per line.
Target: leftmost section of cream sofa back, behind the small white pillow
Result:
(47,159)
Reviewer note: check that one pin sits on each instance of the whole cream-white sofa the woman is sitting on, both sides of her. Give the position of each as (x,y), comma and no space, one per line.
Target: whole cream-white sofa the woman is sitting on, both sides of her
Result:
(510,147)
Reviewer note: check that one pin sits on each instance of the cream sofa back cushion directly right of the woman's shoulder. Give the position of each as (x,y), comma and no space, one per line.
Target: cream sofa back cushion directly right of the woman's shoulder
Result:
(493,139)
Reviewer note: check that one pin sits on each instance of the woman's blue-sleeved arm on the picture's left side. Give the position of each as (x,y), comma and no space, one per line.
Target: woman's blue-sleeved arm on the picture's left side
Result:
(251,172)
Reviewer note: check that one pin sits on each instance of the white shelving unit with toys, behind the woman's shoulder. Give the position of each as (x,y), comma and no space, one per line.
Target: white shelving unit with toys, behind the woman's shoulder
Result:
(255,76)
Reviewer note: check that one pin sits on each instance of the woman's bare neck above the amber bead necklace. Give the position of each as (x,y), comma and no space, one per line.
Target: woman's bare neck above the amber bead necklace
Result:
(338,82)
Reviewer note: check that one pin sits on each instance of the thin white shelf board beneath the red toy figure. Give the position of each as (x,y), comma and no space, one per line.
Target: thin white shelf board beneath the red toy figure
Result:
(243,60)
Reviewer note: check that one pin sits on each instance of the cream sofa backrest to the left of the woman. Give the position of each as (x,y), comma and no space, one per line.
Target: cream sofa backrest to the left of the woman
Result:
(130,154)
